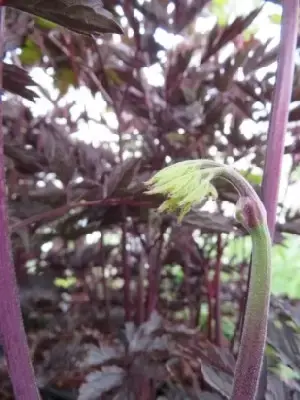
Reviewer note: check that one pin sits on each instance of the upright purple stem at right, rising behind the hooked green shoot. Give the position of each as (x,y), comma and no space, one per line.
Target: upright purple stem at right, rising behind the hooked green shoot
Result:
(280,110)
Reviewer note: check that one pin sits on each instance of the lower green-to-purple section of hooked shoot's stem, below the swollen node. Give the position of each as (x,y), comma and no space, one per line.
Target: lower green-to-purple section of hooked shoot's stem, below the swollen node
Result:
(252,345)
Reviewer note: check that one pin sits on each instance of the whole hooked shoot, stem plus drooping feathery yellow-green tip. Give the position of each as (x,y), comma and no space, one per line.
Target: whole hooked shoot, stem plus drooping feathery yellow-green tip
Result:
(190,182)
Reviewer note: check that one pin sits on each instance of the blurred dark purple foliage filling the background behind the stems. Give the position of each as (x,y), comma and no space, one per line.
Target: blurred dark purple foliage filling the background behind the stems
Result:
(102,276)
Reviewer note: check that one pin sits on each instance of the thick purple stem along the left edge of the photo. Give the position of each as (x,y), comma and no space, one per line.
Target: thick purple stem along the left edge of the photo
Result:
(12,333)
